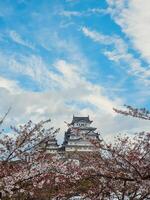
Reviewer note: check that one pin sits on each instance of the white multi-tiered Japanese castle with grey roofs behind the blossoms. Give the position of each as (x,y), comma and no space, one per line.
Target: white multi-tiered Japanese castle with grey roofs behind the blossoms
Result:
(78,137)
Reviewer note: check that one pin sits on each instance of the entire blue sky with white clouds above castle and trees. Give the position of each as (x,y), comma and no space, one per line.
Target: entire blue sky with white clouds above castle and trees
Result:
(60,58)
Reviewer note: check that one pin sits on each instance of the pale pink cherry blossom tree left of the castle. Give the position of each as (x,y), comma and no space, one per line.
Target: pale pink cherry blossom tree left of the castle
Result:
(23,164)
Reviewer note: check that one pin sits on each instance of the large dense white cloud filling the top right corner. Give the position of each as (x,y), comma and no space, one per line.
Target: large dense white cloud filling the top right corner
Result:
(133,17)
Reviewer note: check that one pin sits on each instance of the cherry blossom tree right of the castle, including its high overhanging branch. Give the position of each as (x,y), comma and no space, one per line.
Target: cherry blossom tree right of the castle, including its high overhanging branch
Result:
(120,170)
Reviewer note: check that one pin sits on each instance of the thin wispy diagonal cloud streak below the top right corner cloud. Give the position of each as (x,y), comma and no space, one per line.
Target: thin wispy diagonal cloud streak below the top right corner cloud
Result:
(120,53)
